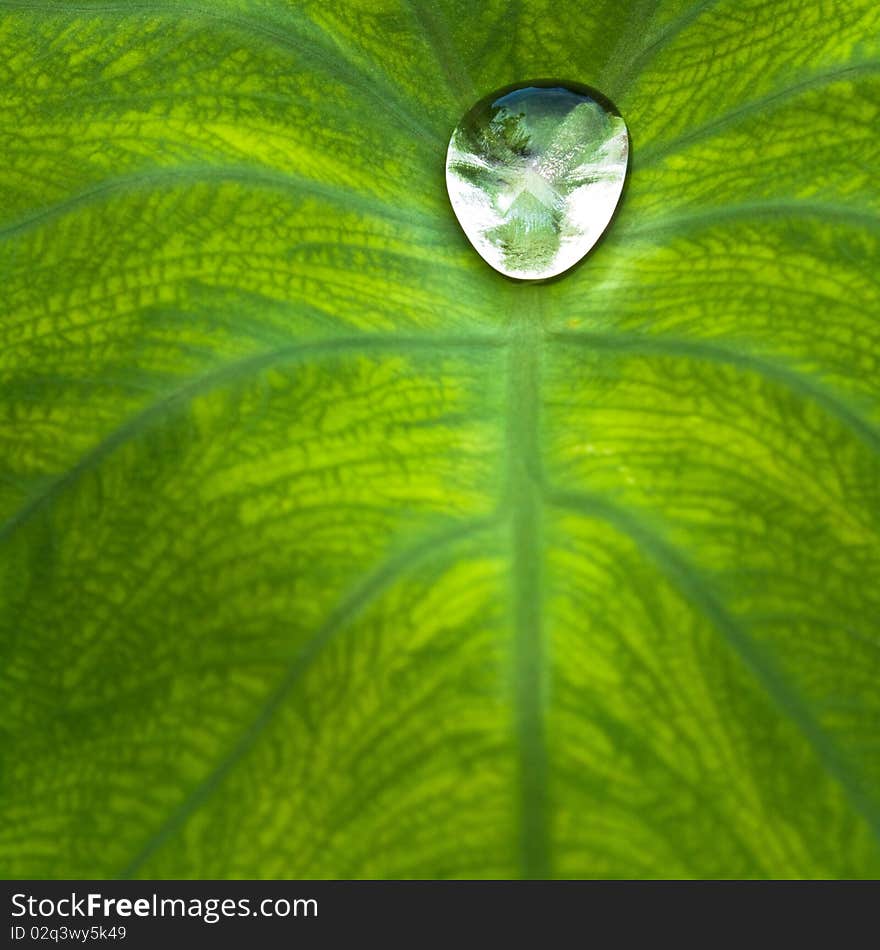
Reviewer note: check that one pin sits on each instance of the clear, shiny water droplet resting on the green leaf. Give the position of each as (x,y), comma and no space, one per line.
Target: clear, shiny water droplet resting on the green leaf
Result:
(534,173)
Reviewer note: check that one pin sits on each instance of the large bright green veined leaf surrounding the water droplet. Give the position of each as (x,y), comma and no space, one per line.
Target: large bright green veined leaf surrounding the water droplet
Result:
(327,551)
